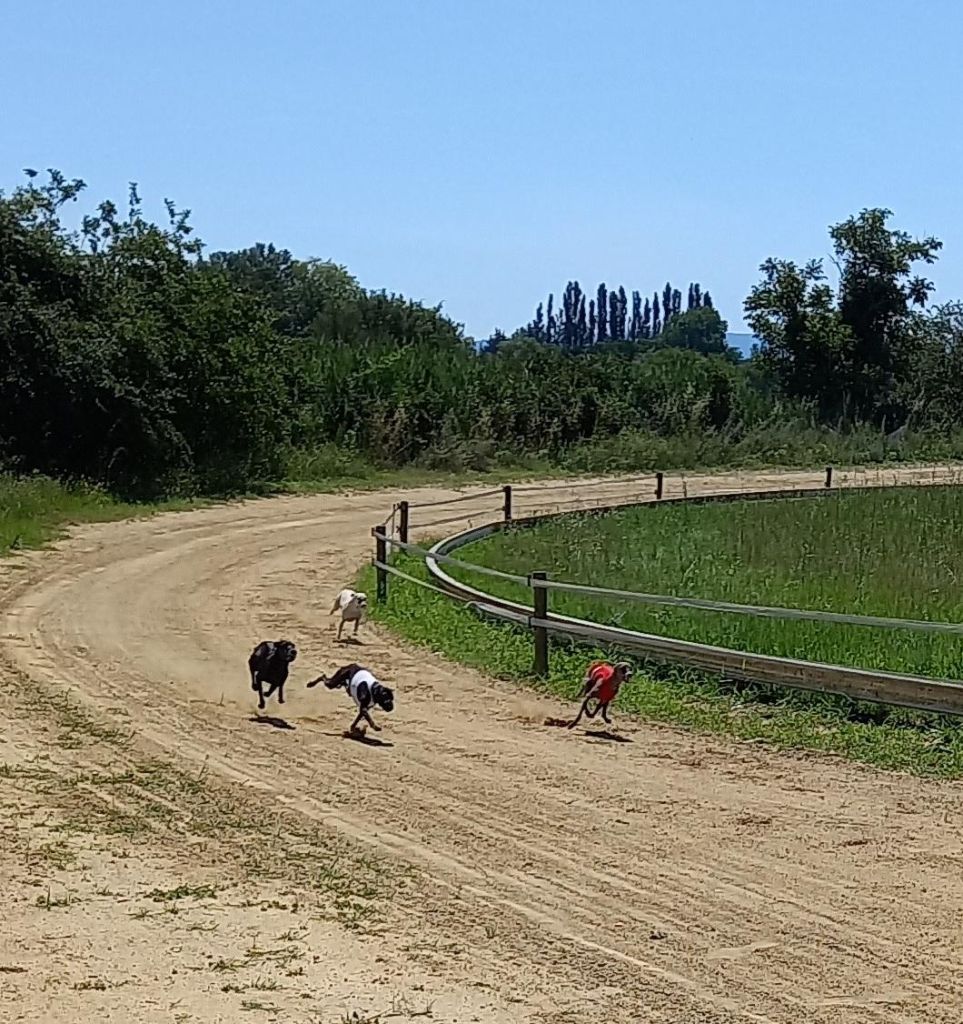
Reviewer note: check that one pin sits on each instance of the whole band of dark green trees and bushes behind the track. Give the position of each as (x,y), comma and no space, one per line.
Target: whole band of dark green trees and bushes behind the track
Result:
(132,358)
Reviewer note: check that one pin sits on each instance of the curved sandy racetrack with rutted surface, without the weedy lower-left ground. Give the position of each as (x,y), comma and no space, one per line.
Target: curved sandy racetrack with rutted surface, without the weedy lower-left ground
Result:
(698,880)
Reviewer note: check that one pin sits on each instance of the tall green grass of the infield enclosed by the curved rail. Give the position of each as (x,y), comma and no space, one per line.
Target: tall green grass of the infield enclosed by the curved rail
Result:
(895,552)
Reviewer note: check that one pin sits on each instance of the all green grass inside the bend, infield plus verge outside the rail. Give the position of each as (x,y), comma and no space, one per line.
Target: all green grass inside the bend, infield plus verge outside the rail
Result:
(891,552)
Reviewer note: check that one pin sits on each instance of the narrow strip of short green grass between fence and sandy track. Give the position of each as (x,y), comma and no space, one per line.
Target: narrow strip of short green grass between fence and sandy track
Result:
(891,739)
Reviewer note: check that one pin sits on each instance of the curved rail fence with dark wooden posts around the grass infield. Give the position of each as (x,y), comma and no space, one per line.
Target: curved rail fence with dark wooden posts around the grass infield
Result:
(940,696)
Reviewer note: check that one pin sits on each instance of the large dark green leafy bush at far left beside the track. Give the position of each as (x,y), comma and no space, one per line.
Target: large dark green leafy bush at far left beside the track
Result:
(122,364)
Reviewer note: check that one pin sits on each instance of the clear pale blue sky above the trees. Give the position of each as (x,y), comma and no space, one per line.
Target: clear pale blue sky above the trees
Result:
(482,154)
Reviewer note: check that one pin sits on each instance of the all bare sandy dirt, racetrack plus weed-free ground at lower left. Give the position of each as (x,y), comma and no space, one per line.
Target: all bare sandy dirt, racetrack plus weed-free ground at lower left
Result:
(554,877)
